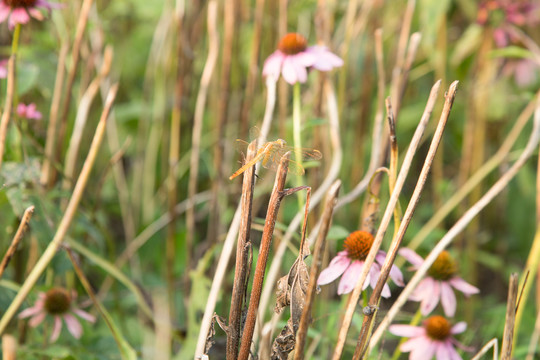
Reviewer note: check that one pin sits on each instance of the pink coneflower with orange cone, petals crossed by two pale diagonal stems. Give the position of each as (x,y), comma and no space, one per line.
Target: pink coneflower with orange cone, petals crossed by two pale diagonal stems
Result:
(350,263)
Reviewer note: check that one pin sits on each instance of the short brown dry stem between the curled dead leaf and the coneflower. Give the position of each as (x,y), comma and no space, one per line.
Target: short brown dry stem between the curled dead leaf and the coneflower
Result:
(316,264)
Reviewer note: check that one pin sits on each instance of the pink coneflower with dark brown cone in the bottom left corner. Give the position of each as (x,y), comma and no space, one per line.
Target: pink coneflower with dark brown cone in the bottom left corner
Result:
(58,303)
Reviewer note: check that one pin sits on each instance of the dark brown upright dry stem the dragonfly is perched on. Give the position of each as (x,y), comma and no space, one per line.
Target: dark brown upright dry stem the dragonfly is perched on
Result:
(243,249)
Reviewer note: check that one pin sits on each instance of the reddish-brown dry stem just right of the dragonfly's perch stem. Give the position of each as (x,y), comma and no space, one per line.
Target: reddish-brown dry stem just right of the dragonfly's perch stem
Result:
(258,277)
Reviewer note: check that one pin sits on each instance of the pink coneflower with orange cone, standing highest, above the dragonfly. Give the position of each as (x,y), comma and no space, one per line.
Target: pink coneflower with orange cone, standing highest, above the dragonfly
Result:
(293,57)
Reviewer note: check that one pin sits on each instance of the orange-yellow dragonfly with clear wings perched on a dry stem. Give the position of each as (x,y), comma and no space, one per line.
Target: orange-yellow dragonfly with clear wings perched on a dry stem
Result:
(271,153)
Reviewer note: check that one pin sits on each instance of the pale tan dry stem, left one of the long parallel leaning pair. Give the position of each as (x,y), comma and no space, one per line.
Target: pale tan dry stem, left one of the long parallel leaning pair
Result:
(355,296)
